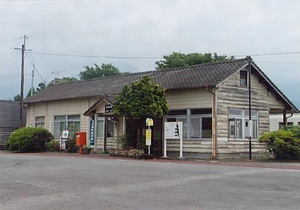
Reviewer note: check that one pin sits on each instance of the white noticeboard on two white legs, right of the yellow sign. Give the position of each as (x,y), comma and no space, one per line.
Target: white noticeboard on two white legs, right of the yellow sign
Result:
(173,130)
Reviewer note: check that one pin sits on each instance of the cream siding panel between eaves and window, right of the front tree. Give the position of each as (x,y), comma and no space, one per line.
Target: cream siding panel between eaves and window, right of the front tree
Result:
(188,99)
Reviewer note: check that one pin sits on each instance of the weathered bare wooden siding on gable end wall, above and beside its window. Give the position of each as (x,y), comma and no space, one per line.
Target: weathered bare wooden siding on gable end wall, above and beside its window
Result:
(231,95)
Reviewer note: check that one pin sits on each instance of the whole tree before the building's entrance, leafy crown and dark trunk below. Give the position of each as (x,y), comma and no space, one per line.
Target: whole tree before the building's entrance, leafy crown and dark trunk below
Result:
(140,100)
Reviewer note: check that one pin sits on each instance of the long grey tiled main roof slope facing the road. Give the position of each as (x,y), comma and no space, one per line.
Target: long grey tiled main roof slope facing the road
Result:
(202,75)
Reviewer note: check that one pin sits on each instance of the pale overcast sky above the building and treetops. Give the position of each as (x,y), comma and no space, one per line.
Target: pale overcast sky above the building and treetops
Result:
(65,36)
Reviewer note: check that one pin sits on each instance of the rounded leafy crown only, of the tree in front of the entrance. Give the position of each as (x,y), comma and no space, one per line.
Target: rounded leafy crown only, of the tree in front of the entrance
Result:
(141,100)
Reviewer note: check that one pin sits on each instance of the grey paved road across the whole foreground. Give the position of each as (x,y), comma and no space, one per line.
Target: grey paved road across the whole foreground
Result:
(29,181)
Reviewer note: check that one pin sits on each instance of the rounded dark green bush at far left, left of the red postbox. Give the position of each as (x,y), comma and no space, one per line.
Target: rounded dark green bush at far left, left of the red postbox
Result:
(29,140)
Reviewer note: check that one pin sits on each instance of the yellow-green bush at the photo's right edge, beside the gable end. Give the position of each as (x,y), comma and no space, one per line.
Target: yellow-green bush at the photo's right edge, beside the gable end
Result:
(284,143)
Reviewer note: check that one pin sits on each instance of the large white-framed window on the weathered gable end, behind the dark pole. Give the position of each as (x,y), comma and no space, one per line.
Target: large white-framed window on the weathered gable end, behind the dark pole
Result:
(238,124)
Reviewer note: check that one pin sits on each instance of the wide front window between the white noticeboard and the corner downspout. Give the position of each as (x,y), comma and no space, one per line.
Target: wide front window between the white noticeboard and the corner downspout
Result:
(197,123)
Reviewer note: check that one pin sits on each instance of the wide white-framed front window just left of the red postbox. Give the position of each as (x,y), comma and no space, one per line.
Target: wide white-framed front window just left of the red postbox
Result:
(66,122)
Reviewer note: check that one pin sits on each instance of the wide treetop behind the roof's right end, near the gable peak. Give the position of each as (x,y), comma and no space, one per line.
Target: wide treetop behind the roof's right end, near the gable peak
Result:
(177,59)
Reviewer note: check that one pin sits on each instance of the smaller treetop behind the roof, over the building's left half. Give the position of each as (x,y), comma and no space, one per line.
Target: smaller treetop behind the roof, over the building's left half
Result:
(105,70)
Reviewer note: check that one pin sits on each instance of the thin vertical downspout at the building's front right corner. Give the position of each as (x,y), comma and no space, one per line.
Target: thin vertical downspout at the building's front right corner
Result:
(214,122)
